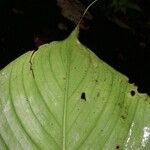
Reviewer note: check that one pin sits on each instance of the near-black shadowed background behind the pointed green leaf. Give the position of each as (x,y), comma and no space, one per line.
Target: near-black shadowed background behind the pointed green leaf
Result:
(26,24)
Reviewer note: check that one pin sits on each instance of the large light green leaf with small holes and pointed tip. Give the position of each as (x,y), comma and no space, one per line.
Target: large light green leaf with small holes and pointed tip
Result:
(64,97)
